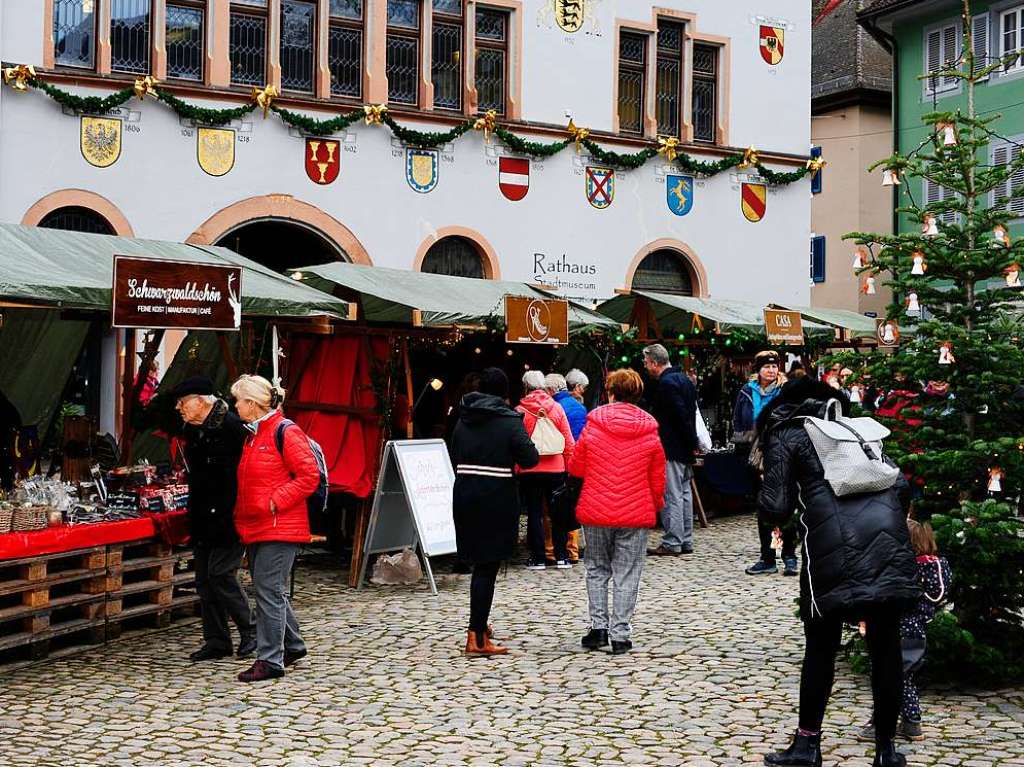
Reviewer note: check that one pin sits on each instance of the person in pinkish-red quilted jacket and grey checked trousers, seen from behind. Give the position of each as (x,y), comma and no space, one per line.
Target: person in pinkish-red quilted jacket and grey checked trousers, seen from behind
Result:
(622,463)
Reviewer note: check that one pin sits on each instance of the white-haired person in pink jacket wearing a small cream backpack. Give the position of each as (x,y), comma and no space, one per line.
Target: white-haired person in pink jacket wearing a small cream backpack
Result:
(538,485)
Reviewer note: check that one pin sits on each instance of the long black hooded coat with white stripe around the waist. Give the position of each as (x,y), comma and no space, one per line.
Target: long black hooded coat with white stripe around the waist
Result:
(490,442)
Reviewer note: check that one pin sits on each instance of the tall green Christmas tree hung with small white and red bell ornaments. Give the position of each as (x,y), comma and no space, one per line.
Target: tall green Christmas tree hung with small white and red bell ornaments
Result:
(957,313)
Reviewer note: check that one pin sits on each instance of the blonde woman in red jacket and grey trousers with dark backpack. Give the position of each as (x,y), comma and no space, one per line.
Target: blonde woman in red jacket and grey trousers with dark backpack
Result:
(278,473)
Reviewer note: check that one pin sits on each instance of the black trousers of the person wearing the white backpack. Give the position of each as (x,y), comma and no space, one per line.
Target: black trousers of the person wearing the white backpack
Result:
(825,635)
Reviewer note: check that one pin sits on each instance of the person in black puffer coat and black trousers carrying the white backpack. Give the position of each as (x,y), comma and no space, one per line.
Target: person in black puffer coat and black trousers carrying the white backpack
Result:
(859,566)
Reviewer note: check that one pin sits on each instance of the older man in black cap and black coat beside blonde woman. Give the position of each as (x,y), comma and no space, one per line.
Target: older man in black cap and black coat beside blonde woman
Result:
(215,439)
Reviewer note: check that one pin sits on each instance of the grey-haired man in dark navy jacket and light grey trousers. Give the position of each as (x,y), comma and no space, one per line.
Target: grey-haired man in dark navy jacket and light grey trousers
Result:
(675,405)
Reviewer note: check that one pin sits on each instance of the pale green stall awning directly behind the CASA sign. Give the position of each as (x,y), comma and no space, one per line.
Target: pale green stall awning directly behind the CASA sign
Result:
(677,313)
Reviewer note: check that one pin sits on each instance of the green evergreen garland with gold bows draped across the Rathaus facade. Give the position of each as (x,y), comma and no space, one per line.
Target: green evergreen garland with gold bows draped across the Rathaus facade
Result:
(424,140)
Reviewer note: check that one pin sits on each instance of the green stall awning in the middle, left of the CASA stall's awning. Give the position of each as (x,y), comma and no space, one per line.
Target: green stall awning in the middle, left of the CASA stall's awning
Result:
(393,295)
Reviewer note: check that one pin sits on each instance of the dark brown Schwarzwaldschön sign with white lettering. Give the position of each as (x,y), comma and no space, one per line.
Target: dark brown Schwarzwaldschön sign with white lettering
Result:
(159,294)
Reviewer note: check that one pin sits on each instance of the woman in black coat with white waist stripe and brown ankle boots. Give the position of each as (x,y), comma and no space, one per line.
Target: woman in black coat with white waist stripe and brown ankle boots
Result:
(490,442)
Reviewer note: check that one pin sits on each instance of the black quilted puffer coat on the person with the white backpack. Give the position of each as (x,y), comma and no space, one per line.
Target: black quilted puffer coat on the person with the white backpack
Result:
(857,549)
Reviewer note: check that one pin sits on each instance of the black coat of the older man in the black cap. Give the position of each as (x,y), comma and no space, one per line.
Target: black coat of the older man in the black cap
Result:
(212,453)
